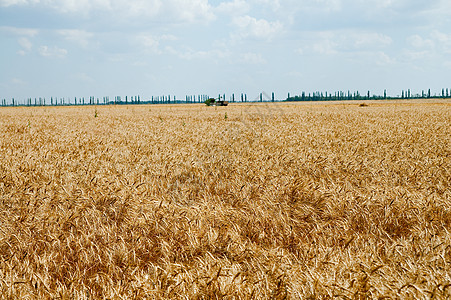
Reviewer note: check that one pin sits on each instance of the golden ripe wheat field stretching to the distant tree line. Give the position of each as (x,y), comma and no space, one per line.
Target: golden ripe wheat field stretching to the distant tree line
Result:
(257,201)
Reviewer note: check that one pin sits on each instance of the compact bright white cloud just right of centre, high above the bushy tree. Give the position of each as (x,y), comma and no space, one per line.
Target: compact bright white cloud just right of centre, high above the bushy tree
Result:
(250,27)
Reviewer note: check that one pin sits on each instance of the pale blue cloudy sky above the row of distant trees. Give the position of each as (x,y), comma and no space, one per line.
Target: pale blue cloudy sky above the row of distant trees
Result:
(82,48)
